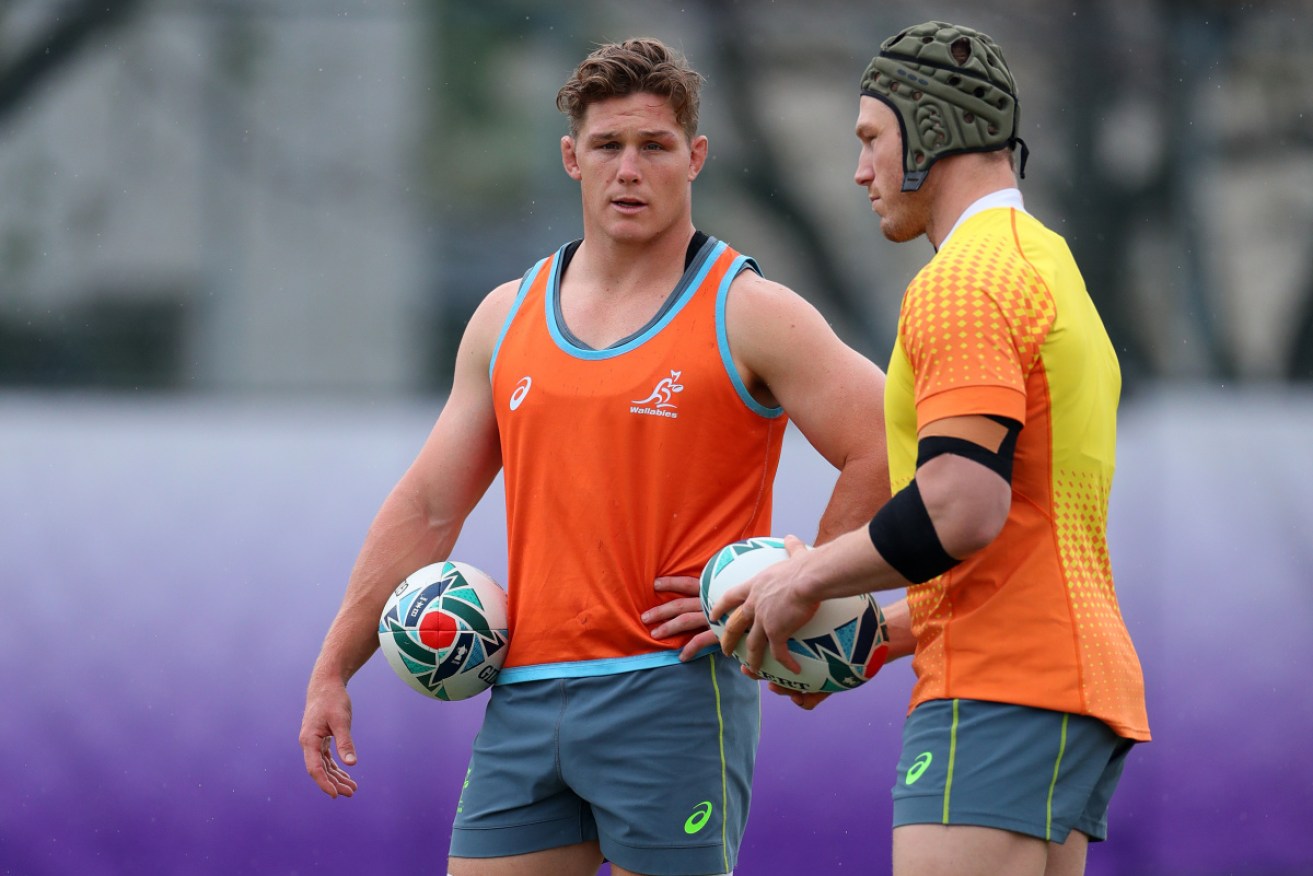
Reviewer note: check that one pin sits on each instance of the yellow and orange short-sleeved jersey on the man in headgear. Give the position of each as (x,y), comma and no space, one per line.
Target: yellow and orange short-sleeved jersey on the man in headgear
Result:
(1000,324)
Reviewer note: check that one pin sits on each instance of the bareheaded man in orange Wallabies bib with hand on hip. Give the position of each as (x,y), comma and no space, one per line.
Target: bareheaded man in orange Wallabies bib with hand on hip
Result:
(635,388)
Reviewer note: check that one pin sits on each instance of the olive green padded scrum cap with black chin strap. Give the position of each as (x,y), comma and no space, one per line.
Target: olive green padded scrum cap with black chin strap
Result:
(951,91)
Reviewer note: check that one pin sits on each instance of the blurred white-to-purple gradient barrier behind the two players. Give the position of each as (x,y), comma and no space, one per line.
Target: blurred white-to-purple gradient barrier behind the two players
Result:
(171,567)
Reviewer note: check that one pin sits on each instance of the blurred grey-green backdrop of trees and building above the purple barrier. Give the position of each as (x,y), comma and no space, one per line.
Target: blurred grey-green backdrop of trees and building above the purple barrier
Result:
(308,198)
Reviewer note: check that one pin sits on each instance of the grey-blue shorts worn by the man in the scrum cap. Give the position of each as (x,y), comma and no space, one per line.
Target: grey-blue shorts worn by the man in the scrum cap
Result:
(1013,768)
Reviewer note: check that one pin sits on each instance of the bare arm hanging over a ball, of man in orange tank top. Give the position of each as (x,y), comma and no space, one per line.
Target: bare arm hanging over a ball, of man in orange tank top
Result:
(417,525)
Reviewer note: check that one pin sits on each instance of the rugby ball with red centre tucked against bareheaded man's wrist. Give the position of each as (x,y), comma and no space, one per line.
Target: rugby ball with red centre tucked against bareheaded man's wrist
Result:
(444,632)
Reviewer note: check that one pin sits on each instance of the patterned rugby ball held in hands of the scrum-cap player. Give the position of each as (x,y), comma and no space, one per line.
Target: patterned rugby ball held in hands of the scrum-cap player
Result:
(838,649)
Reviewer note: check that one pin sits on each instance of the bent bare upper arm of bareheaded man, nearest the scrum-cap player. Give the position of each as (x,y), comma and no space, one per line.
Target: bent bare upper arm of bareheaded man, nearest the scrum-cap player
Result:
(790,357)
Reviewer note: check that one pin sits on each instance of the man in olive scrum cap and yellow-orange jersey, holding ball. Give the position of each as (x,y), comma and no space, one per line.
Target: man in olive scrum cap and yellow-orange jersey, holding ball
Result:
(1001,422)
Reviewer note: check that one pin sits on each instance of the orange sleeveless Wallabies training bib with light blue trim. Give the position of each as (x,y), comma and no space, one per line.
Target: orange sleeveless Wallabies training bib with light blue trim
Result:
(622,466)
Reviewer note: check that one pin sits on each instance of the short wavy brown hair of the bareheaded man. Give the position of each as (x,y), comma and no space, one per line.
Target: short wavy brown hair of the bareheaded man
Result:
(641,66)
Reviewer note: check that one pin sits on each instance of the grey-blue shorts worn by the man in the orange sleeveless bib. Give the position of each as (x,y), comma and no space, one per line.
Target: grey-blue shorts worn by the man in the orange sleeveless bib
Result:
(656,765)
